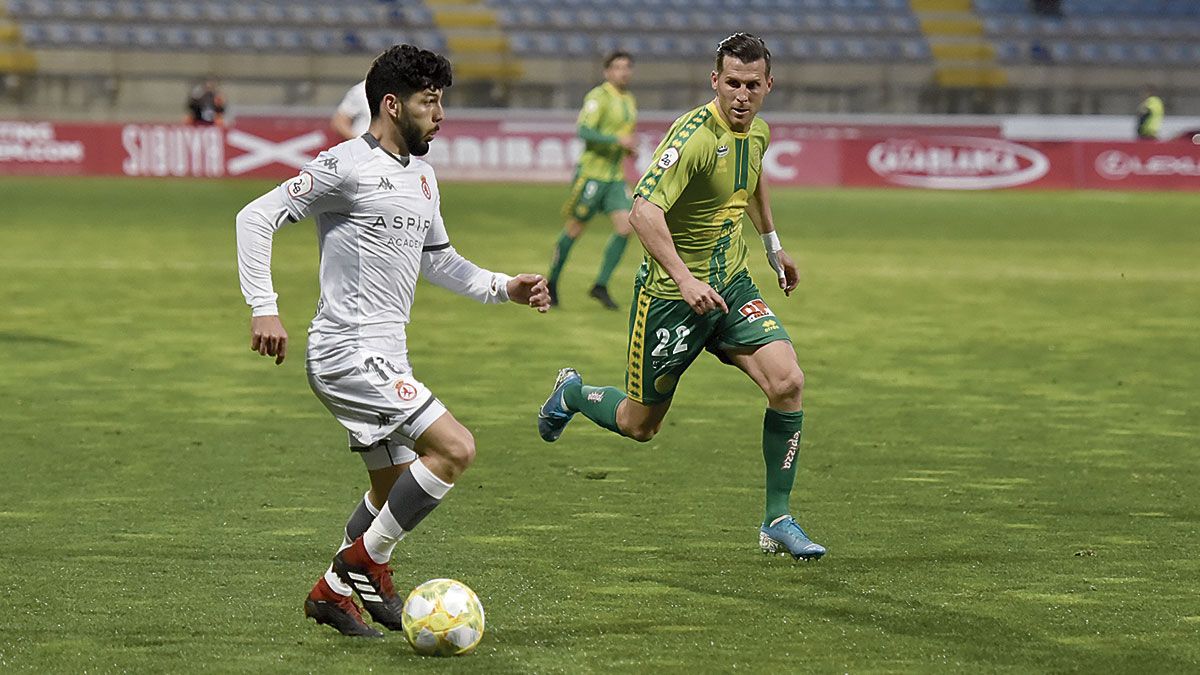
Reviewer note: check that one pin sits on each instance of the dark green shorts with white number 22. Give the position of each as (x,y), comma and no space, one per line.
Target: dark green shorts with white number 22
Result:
(667,336)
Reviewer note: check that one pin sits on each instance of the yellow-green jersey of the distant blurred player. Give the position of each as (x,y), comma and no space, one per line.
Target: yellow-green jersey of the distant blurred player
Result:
(607,116)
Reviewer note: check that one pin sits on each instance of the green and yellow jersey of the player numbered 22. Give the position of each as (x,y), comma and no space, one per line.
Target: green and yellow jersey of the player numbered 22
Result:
(703,178)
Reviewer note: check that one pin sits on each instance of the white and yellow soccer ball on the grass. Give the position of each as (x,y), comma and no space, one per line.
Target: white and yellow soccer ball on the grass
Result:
(443,618)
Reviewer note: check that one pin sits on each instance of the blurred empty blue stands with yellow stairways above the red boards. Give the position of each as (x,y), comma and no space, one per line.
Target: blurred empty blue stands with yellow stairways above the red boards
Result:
(116,59)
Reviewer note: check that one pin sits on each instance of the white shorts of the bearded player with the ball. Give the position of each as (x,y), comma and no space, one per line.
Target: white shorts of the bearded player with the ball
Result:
(380,403)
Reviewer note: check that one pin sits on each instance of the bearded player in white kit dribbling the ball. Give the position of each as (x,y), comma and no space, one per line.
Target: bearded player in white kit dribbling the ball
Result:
(380,225)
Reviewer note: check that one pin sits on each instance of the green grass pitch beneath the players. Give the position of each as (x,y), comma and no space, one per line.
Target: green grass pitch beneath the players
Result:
(1001,452)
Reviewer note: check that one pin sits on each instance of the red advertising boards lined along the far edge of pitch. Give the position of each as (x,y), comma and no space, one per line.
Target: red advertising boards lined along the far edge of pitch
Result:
(506,150)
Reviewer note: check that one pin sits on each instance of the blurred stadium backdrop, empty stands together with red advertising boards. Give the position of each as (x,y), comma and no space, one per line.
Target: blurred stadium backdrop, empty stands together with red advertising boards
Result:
(847,71)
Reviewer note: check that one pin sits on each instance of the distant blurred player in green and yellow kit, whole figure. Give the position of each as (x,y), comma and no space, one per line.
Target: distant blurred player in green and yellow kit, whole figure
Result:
(607,126)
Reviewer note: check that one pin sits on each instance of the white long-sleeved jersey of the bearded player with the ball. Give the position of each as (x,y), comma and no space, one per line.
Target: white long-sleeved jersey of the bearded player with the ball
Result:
(379,225)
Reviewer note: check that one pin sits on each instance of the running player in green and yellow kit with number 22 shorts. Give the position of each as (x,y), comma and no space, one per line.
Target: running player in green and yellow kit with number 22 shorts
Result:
(694,292)
